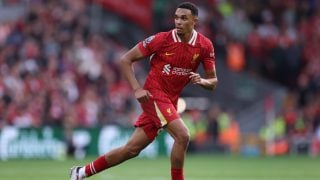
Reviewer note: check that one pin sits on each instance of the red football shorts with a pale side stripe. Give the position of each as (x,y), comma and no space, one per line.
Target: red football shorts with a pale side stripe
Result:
(155,116)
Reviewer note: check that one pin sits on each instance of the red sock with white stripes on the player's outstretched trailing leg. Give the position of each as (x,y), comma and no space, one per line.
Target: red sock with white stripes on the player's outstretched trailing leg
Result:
(96,166)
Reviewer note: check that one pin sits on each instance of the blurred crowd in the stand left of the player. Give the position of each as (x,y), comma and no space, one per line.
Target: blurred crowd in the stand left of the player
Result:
(55,72)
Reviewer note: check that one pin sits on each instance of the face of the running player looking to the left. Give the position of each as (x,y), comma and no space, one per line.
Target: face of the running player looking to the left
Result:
(184,21)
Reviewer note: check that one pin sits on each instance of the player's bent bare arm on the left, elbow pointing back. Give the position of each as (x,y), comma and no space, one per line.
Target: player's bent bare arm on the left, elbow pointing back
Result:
(126,63)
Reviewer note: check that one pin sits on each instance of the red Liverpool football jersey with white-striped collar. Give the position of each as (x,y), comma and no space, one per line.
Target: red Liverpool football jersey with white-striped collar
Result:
(172,61)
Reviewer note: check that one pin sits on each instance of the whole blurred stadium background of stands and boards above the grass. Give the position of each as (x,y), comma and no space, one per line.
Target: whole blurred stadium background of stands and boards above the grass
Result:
(62,93)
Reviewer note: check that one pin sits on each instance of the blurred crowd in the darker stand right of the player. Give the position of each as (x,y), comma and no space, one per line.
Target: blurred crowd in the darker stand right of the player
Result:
(275,40)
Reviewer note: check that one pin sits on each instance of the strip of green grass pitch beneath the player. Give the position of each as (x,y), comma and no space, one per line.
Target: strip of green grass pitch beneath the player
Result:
(198,167)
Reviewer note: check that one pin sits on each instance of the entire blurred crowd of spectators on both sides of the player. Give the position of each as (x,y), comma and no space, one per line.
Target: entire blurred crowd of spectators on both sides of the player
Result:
(56,71)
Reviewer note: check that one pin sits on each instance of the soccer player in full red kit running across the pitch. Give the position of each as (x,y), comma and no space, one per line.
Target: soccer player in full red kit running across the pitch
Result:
(175,56)
